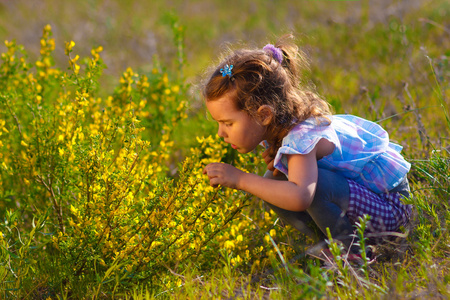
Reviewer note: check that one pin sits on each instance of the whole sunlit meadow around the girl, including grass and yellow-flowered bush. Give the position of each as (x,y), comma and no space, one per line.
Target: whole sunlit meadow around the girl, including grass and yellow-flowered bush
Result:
(104,136)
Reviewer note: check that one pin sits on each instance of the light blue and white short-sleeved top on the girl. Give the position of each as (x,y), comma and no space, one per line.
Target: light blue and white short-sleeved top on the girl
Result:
(362,152)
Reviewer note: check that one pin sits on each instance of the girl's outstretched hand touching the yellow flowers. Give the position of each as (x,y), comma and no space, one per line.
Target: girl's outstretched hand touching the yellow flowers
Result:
(223,174)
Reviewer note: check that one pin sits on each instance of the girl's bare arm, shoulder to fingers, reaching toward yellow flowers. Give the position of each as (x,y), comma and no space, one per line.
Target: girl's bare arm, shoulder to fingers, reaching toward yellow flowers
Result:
(295,194)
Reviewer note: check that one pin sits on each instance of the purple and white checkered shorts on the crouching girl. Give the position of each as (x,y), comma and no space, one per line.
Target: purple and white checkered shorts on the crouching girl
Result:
(387,213)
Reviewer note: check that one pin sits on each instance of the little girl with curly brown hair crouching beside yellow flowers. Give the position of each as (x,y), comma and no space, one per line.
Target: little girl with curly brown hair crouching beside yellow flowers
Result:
(322,169)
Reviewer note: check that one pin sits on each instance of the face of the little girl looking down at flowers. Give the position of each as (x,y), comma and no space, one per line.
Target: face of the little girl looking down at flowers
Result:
(236,127)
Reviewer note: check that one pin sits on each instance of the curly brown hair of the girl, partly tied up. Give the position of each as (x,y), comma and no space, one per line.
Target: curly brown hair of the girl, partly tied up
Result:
(258,79)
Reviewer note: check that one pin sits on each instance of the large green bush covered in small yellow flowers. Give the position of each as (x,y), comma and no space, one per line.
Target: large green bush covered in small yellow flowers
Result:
(86,180)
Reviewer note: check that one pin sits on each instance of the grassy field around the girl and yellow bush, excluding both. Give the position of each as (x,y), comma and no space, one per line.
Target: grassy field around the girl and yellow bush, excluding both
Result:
(385,61)
